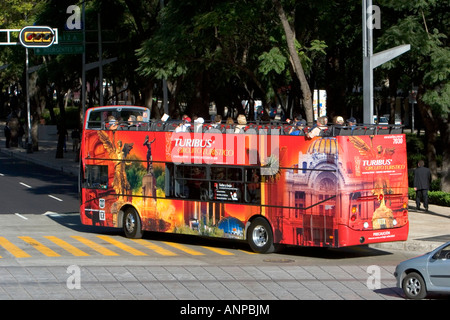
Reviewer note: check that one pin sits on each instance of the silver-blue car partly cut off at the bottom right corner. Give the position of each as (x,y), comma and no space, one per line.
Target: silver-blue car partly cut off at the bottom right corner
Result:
(427,273)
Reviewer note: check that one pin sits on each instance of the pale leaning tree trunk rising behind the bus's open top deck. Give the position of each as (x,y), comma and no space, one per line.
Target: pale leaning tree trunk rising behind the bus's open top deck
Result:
(296,64)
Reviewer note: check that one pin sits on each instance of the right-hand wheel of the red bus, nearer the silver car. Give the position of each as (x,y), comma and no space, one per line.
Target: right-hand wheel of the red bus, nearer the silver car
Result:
(260,236)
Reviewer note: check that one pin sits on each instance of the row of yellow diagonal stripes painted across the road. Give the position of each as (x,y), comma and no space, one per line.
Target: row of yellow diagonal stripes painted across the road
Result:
(18,252)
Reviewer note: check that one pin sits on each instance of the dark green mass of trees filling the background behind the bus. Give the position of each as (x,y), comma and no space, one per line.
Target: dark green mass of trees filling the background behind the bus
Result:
(217,52)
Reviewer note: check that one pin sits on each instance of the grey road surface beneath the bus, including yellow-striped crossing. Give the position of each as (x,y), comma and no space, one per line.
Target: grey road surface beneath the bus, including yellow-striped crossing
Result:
(42,242)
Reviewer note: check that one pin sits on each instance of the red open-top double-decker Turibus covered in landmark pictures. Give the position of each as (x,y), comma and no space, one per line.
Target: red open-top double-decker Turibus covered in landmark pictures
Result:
(261,185)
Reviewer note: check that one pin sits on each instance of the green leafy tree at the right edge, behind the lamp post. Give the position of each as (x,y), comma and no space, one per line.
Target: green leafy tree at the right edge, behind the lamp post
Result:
(424,25)
